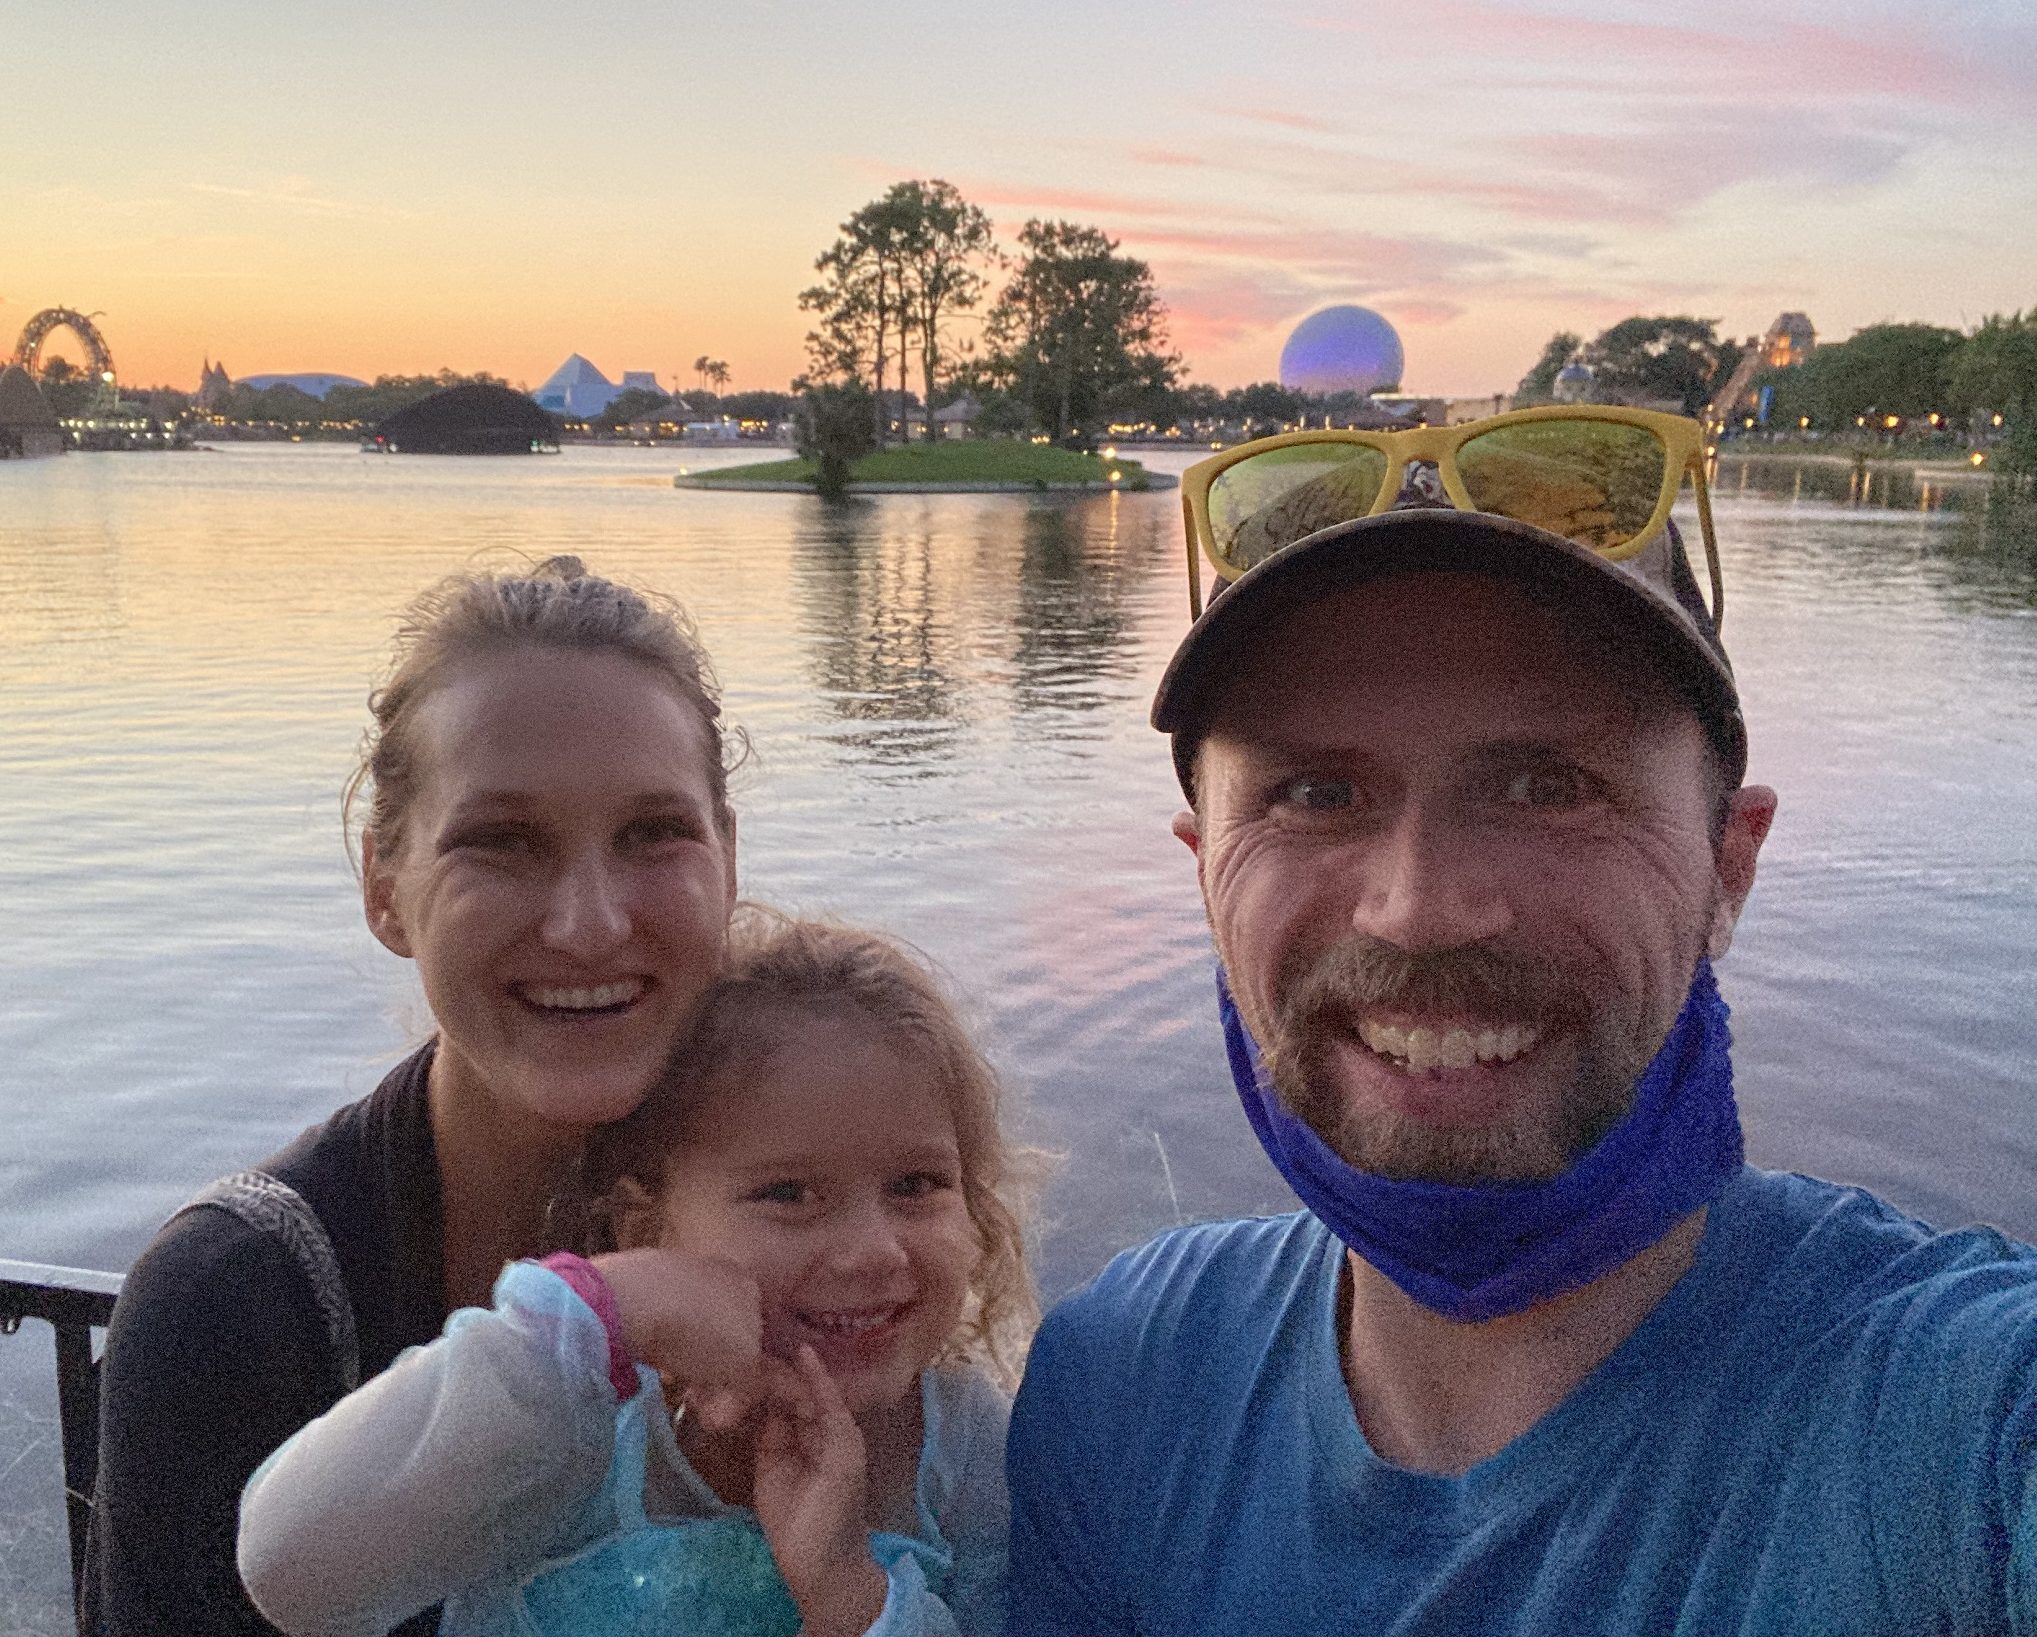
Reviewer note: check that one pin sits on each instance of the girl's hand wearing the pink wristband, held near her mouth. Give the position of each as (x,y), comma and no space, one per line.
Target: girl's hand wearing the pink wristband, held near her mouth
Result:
(696,1320)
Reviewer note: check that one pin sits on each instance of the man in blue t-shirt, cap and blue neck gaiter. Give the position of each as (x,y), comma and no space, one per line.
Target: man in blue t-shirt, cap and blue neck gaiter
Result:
(1541,1355)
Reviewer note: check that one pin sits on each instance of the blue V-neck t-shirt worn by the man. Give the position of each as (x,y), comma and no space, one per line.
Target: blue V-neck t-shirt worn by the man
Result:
(1828,1426)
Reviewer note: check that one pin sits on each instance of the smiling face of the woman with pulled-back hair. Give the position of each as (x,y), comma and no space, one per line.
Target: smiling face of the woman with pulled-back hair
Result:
(561,883)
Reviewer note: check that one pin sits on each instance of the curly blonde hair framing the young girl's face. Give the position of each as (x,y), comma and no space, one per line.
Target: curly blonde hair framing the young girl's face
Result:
(781,964)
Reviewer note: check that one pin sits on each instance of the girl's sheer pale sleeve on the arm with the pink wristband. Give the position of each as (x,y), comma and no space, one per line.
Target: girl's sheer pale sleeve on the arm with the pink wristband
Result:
(467,1459)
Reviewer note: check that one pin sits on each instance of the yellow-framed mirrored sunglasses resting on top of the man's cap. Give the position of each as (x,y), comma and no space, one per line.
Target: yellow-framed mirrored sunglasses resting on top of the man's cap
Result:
(1600,475)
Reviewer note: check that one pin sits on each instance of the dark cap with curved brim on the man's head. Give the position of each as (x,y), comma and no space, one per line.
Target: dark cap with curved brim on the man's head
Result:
(1651,600)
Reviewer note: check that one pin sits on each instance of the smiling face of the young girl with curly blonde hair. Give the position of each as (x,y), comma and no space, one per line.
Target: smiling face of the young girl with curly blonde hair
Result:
(834,1180)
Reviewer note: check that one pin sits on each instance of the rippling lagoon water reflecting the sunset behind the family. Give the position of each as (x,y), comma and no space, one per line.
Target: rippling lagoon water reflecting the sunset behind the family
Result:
(946,701)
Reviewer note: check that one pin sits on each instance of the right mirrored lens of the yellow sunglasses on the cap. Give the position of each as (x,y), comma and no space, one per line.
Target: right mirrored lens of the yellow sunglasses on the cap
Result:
(1592,482)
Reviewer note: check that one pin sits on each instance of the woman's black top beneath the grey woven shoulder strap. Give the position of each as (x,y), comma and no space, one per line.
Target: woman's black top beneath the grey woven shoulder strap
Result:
(217,1355)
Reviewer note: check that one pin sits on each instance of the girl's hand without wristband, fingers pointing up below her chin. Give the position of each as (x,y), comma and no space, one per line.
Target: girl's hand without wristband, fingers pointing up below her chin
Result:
(810,1498)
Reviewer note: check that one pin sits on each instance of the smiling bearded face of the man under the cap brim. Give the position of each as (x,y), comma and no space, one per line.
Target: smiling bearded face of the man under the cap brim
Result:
(1460,872)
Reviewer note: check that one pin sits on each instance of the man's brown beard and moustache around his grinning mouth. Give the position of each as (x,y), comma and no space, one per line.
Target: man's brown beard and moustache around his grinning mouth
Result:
(1321,1011)
